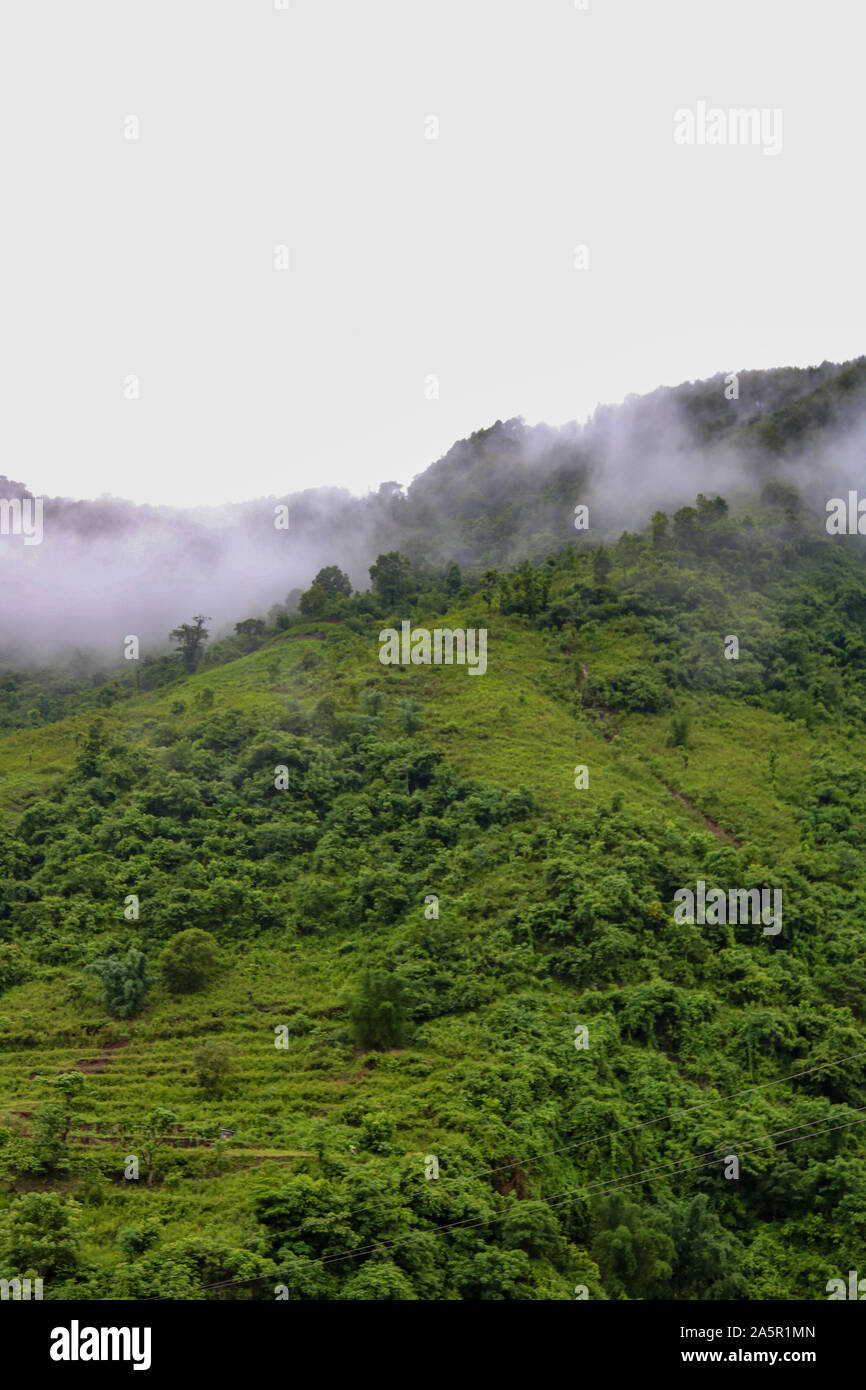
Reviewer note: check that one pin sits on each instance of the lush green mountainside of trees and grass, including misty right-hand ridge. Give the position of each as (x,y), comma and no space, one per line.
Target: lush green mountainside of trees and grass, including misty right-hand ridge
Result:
(330,979)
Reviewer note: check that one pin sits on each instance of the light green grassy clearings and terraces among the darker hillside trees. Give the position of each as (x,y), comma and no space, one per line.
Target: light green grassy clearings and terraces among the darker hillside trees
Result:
(509,728)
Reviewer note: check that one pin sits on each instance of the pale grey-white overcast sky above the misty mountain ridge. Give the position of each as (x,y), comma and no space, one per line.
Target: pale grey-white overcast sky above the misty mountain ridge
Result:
(409,258)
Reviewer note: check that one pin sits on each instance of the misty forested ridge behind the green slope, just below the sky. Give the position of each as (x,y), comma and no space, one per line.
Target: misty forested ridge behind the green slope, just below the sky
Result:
(109,568)
